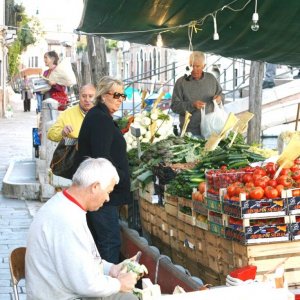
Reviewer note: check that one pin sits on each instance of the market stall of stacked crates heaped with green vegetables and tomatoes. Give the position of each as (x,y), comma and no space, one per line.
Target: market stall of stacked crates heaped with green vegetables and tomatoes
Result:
(218,209)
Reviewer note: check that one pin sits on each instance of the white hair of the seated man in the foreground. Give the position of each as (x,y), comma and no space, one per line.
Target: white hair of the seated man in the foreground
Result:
(94,170)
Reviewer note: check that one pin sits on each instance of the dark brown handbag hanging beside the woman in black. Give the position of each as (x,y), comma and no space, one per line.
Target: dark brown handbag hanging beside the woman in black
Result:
(63,160)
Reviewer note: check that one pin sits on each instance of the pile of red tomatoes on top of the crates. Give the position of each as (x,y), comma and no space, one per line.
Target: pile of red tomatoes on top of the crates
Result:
(255,182)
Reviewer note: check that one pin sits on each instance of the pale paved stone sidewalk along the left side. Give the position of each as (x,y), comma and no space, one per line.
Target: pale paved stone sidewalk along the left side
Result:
(15,215)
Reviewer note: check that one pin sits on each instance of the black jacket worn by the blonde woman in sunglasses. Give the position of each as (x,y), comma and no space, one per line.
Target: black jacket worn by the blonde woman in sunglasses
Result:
(100,136)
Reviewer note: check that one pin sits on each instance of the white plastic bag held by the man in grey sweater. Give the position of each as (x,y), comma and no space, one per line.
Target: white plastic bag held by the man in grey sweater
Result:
(213,122)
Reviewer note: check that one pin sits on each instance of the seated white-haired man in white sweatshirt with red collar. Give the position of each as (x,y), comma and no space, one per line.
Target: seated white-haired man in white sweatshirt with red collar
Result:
(62,260)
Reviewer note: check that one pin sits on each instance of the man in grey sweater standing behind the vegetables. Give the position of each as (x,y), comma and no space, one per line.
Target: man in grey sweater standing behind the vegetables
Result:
(194,92)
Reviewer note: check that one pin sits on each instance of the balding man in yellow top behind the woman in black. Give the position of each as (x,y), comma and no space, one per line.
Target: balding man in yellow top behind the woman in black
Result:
(69,122)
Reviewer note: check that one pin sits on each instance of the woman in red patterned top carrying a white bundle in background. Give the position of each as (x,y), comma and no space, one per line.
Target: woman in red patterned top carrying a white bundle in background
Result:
(57,91)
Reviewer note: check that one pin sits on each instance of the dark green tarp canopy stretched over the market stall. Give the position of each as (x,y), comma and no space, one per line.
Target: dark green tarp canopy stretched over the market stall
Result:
(276,41)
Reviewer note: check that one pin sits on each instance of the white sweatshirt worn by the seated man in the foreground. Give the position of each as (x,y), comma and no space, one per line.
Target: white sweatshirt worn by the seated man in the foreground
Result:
(62,260)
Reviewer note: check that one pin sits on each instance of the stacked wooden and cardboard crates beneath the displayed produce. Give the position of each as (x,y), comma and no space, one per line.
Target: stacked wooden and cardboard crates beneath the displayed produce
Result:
(212,252)
